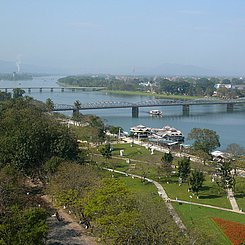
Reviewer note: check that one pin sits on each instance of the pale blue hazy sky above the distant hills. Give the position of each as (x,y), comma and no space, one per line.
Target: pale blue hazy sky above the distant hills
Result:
(124,36)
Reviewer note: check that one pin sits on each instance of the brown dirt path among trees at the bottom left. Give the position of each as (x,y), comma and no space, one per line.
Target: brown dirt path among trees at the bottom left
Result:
(67,231)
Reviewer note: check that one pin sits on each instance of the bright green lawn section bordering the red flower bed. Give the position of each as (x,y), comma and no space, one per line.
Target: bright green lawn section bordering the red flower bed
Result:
(200,217)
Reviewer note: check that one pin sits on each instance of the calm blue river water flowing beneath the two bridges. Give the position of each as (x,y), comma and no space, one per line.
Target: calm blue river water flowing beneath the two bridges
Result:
(230,126)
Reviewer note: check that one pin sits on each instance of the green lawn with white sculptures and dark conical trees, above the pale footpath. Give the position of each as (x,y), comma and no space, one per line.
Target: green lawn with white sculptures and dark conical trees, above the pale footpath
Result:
(148,165)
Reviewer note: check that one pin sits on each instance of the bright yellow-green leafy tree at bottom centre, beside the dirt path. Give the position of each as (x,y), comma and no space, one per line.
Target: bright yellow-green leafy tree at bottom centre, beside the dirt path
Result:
(112,209)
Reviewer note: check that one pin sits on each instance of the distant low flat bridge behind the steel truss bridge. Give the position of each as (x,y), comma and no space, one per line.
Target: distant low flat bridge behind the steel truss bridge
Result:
(52,89)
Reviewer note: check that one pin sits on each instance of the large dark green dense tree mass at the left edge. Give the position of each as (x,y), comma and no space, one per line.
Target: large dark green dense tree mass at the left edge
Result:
(28,137)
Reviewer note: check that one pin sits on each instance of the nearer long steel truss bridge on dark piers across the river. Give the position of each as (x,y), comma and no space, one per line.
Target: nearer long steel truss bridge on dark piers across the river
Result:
(149,103)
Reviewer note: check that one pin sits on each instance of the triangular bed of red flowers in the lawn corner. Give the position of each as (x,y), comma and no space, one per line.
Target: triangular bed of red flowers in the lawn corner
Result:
(233,230)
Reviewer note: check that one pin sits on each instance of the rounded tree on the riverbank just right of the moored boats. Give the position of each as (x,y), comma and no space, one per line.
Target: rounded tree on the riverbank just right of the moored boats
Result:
(204,139)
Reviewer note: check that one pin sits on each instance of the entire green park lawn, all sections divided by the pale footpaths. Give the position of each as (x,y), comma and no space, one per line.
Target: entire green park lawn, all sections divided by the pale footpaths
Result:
(194,217)
